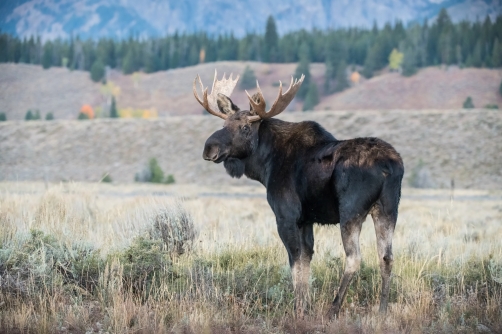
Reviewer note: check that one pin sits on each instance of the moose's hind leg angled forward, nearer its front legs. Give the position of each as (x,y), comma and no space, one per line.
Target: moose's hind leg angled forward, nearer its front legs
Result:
(350,238)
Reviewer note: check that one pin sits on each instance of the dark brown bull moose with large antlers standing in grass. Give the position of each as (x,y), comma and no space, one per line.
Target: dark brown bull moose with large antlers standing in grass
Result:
(310,178)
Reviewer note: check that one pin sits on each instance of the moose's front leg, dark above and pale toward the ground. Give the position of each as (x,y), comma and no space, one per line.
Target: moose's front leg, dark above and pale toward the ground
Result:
(299,242)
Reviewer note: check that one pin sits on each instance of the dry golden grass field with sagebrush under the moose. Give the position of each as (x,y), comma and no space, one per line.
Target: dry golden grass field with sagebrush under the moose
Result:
(90,257)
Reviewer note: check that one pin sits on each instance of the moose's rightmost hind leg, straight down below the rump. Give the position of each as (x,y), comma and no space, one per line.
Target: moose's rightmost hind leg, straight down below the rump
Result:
(384,228)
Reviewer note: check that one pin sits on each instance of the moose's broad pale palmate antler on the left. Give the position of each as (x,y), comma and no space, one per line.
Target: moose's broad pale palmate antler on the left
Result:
(223,86)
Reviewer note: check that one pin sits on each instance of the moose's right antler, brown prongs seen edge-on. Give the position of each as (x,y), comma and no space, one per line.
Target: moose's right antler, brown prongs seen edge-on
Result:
(280,103)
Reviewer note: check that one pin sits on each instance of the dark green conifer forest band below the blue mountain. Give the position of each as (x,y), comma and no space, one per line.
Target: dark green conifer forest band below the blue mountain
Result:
(469,44)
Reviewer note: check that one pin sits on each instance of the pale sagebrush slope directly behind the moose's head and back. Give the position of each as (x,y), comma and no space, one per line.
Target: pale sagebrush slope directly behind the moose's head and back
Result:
(436,145)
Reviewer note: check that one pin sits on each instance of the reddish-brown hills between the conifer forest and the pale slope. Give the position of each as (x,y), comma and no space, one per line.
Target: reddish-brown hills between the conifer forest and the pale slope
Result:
(63,92)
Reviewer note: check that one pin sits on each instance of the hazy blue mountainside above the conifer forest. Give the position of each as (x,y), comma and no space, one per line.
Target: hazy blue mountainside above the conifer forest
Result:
(121,18)
